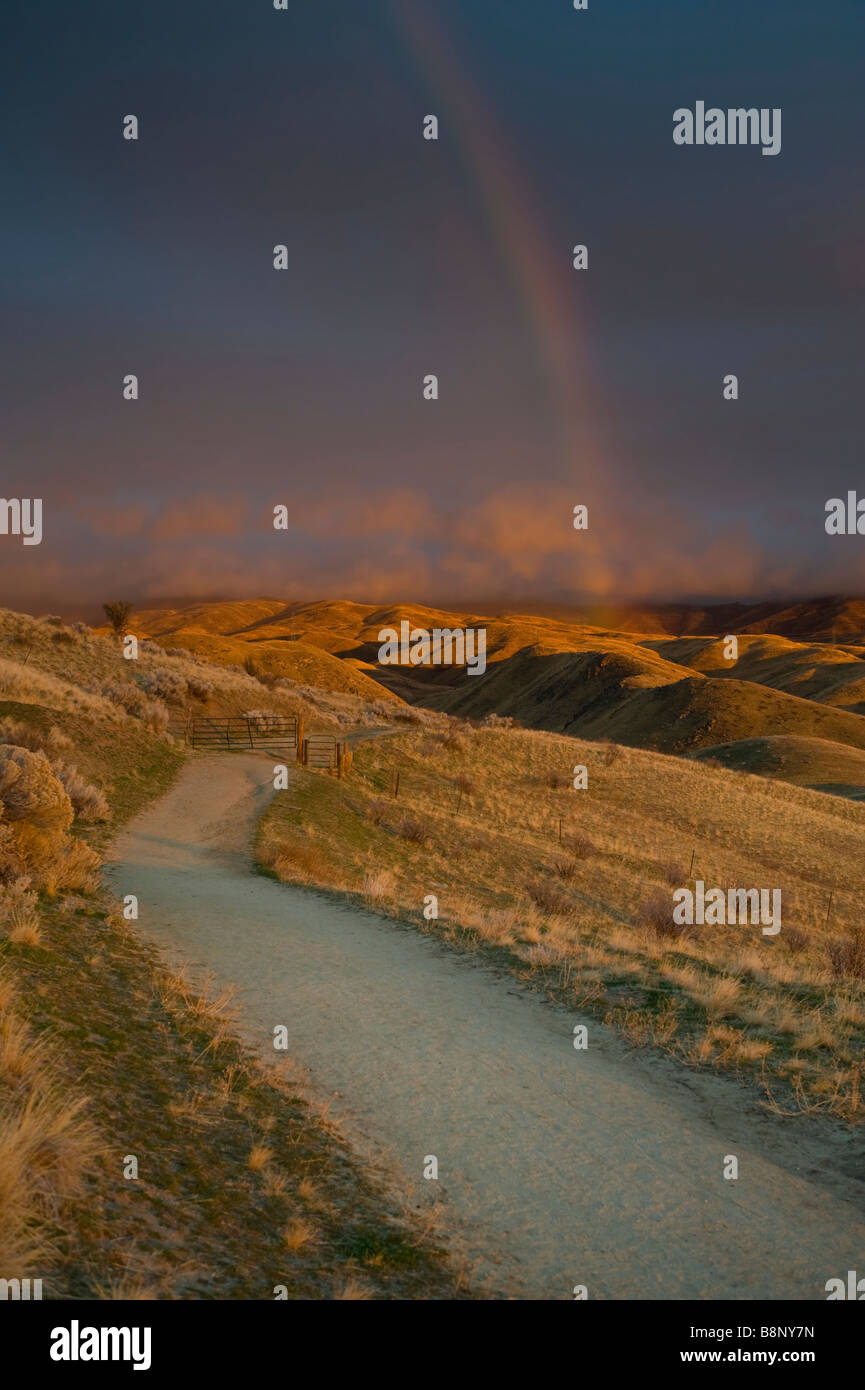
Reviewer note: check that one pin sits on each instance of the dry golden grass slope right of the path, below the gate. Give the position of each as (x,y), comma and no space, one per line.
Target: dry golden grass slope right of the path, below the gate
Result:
(574,890)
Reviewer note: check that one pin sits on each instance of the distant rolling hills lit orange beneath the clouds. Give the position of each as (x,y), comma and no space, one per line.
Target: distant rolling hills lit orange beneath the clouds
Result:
(670,693)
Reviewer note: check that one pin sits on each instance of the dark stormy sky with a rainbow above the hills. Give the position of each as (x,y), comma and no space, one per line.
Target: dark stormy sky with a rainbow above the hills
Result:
(407,258)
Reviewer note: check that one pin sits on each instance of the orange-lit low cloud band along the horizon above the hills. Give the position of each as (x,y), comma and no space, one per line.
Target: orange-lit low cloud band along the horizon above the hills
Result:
(518,543)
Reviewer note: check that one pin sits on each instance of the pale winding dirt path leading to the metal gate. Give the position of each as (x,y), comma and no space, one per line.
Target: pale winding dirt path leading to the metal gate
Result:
(557,1168)
